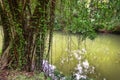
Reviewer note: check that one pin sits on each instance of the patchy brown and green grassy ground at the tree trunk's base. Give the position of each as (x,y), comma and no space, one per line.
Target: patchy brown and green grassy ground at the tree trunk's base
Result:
(22,75)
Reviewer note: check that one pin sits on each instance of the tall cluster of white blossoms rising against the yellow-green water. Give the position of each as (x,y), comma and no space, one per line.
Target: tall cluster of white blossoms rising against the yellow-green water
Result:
(83,67)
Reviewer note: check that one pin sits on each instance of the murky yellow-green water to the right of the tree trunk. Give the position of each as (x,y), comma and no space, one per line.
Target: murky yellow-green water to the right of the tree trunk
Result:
(103,53)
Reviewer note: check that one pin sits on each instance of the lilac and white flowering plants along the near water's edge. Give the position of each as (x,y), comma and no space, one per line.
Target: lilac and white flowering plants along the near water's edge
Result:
(80,73)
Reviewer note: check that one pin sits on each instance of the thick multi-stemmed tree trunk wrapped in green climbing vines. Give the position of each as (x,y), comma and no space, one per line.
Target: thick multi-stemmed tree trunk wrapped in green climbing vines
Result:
(25,26)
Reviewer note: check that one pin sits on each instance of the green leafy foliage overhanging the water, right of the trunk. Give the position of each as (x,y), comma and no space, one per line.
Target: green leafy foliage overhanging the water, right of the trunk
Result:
(84,17)
